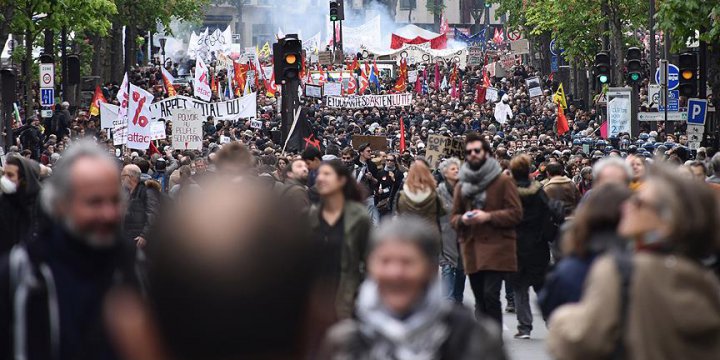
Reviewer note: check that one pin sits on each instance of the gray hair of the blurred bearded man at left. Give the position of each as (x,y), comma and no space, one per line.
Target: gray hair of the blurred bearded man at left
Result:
(58,187)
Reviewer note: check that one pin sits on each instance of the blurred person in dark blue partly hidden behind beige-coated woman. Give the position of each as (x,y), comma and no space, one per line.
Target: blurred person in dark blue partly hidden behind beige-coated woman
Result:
(592,232)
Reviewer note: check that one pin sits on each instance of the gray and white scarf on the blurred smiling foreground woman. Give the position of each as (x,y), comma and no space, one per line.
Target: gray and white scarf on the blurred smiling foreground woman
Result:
(418,336)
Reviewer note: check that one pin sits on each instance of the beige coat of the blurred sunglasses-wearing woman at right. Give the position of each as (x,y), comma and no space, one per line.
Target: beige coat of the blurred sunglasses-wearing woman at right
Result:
(673,312)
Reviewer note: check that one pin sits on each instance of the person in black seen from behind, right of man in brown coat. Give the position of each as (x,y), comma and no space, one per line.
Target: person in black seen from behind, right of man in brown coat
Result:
(533,253)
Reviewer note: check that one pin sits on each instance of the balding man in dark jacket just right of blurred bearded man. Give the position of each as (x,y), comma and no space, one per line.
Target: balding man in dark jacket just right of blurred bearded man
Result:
(143,206)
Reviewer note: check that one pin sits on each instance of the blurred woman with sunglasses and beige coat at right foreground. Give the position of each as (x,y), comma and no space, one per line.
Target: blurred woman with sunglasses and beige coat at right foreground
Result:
(662,303)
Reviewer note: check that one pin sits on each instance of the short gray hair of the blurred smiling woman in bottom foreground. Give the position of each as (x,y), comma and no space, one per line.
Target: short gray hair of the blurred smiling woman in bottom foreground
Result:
(410,229)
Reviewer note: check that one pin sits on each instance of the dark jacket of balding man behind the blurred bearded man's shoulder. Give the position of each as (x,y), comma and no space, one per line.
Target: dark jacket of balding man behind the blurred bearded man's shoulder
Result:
(142,210)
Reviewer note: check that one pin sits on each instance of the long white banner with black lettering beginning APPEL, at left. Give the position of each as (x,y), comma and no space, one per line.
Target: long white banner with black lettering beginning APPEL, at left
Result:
(242,107)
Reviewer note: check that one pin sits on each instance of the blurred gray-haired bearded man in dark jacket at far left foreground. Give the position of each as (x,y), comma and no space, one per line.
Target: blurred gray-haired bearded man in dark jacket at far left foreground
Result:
(52,288)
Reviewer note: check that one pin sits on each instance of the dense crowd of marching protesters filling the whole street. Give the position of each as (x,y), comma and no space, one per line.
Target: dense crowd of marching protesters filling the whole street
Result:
(339,252)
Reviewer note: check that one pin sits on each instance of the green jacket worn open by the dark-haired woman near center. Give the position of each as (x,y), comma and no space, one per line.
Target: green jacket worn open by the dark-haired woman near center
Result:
(354,250)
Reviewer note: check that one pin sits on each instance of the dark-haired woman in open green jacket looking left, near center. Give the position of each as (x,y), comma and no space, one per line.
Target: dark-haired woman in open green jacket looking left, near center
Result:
(340,223)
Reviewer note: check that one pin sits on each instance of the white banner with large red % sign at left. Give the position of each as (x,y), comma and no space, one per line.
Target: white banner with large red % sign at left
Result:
(138,124)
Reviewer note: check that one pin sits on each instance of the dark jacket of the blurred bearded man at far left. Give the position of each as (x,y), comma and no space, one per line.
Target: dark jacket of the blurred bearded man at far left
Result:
(65,282)
